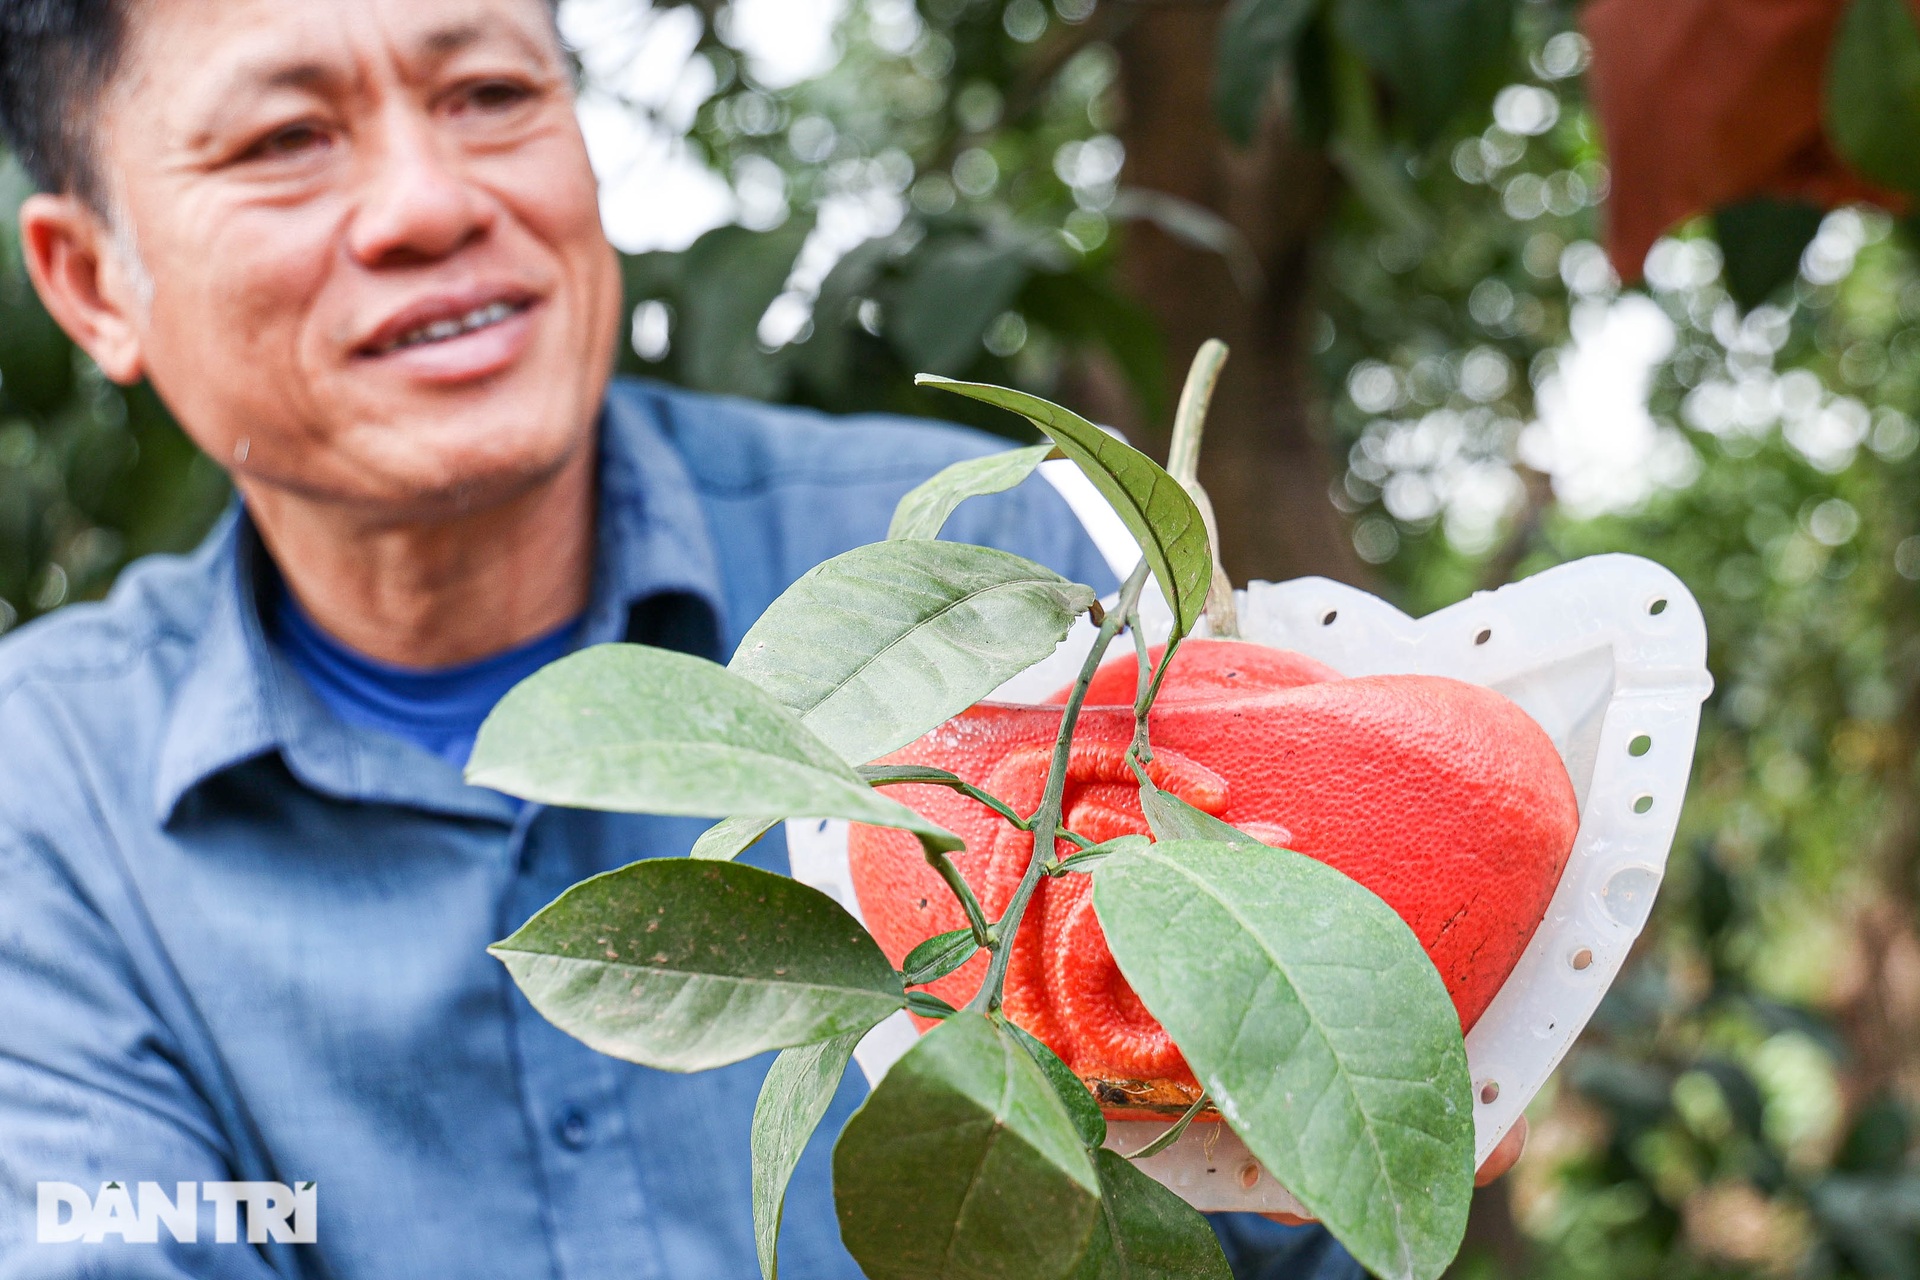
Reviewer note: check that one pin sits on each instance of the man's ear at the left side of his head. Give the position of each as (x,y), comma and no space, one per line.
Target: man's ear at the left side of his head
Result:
(85,281)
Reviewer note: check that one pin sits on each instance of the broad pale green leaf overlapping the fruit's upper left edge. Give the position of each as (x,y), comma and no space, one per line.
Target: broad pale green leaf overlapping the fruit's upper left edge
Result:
(890,640)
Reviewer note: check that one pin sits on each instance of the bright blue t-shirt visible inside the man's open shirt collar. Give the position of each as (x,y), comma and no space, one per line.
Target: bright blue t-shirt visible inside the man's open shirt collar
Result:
(439,709)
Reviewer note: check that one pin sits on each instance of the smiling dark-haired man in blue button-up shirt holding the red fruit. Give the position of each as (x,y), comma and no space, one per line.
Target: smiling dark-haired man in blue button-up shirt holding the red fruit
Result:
(245,893)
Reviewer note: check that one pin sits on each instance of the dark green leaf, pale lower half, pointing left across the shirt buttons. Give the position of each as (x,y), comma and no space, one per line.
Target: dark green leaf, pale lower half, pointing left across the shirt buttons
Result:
(686,966)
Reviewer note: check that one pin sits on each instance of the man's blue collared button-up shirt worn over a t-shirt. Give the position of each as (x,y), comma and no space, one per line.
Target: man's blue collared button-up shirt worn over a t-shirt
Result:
(245,941)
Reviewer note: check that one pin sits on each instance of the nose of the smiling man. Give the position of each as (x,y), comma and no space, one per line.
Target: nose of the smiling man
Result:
(418,202)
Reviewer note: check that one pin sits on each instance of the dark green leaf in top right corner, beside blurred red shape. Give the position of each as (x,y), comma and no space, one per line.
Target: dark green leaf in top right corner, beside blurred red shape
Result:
(1873,93)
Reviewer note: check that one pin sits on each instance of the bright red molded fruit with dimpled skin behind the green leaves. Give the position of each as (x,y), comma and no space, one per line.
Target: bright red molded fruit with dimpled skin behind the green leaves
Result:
(1441,797)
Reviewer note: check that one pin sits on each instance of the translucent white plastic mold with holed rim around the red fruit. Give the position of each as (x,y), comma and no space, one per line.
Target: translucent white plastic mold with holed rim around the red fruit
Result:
(1608,653)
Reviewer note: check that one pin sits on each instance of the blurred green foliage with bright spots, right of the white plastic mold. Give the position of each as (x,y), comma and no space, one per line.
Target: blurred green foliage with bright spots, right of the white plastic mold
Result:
(1744,1102)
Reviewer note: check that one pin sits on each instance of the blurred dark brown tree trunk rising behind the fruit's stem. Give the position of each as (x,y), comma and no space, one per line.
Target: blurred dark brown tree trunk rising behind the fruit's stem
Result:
(1266,462)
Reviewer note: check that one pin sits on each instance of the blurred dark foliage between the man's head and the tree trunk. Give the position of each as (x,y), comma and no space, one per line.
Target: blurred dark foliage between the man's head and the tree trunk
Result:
(994,266)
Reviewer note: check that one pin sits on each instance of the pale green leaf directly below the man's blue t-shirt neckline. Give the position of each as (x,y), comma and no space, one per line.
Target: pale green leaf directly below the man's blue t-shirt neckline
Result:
(658,732)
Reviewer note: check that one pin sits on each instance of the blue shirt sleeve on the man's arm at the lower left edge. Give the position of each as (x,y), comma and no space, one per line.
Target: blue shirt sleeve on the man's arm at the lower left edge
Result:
(93,1093)
